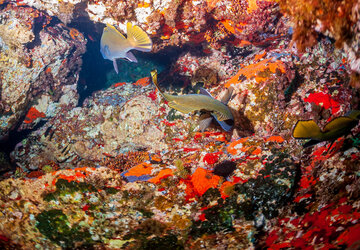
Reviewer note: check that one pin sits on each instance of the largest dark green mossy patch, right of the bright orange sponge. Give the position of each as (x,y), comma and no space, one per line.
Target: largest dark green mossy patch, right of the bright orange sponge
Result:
(265,194)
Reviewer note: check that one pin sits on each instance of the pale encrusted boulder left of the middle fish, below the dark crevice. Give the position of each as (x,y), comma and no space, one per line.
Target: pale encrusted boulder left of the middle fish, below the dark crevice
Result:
(113,121)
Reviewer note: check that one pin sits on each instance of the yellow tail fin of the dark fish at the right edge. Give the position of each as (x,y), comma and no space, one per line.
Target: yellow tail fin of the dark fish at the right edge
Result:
(306,130)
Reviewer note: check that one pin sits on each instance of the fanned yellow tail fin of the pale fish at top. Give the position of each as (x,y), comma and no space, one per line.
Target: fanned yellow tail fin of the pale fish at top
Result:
(138,38)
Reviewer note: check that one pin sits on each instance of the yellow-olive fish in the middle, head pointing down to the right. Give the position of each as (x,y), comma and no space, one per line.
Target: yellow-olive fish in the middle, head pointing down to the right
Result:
(199,102)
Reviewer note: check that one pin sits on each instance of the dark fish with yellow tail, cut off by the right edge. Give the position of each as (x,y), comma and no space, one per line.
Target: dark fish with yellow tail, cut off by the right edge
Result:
(334,129)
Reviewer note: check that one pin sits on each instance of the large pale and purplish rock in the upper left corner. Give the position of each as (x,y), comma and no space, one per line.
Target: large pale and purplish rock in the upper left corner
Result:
(39,64)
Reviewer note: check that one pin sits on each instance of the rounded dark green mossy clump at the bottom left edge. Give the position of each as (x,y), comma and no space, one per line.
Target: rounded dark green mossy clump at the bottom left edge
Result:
(55,226)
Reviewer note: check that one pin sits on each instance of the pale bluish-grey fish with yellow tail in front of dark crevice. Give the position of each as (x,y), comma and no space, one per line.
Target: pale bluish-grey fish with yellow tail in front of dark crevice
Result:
(114,45)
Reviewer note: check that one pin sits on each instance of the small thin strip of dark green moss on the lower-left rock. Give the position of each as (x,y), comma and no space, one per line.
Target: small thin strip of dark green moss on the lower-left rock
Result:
(64,187)
